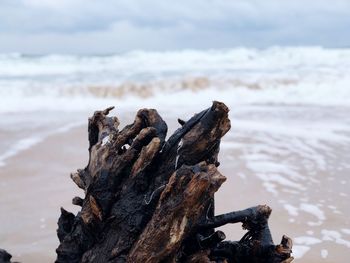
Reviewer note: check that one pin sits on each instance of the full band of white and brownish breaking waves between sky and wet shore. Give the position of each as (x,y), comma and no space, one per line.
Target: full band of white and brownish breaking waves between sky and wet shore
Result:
(295,75)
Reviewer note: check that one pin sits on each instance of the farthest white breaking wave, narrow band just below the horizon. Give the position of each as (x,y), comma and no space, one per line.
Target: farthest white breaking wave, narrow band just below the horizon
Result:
(173,62)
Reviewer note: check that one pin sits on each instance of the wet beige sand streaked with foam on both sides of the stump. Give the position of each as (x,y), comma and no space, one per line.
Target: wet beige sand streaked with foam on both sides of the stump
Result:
(311,208)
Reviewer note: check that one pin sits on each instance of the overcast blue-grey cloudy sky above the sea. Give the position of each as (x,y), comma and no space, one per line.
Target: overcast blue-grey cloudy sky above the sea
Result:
(113,26)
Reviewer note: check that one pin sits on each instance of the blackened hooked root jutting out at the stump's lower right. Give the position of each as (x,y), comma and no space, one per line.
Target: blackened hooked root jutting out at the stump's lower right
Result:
(257,244)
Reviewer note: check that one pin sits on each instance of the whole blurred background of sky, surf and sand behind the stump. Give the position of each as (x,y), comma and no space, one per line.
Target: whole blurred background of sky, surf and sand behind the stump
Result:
(282,67)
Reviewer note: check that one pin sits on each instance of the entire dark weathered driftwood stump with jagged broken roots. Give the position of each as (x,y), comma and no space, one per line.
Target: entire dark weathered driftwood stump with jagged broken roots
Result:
(148,199)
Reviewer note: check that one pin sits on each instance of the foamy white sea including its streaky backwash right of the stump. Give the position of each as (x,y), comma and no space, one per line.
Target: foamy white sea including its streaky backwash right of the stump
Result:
(289,110)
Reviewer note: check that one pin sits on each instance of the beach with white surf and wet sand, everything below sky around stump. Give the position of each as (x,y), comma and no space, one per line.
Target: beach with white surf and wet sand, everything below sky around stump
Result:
(288,146)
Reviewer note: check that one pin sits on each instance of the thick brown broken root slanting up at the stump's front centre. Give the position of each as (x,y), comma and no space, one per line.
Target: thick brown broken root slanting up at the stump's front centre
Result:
(176,213)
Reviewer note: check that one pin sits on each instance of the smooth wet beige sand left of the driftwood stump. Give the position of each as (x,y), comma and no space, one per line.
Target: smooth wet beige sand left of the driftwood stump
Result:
(34,185)
